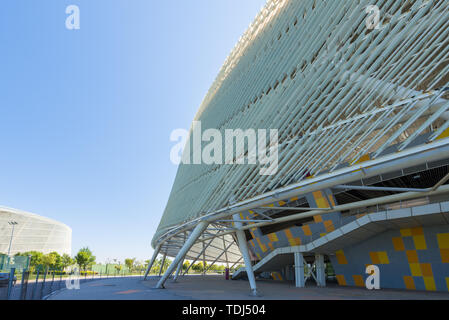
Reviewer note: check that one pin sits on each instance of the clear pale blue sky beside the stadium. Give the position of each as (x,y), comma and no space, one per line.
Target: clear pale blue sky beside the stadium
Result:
(86,115)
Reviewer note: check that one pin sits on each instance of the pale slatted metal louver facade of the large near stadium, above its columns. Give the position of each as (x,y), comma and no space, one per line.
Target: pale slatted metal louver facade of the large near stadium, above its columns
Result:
(336,91)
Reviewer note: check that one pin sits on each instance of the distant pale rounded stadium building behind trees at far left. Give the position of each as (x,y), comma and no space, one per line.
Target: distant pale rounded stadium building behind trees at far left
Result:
(22,232)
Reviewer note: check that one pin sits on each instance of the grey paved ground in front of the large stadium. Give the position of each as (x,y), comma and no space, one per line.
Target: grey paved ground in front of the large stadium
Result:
(216,288)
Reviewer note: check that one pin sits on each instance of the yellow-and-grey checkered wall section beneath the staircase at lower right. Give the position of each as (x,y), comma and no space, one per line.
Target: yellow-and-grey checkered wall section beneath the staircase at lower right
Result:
(412,259)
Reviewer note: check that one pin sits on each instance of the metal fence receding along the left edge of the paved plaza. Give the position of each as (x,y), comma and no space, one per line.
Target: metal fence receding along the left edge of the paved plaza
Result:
(25,285)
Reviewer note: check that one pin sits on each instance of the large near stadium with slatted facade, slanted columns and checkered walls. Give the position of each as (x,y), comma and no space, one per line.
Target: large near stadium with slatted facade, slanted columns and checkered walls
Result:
(358,93)
